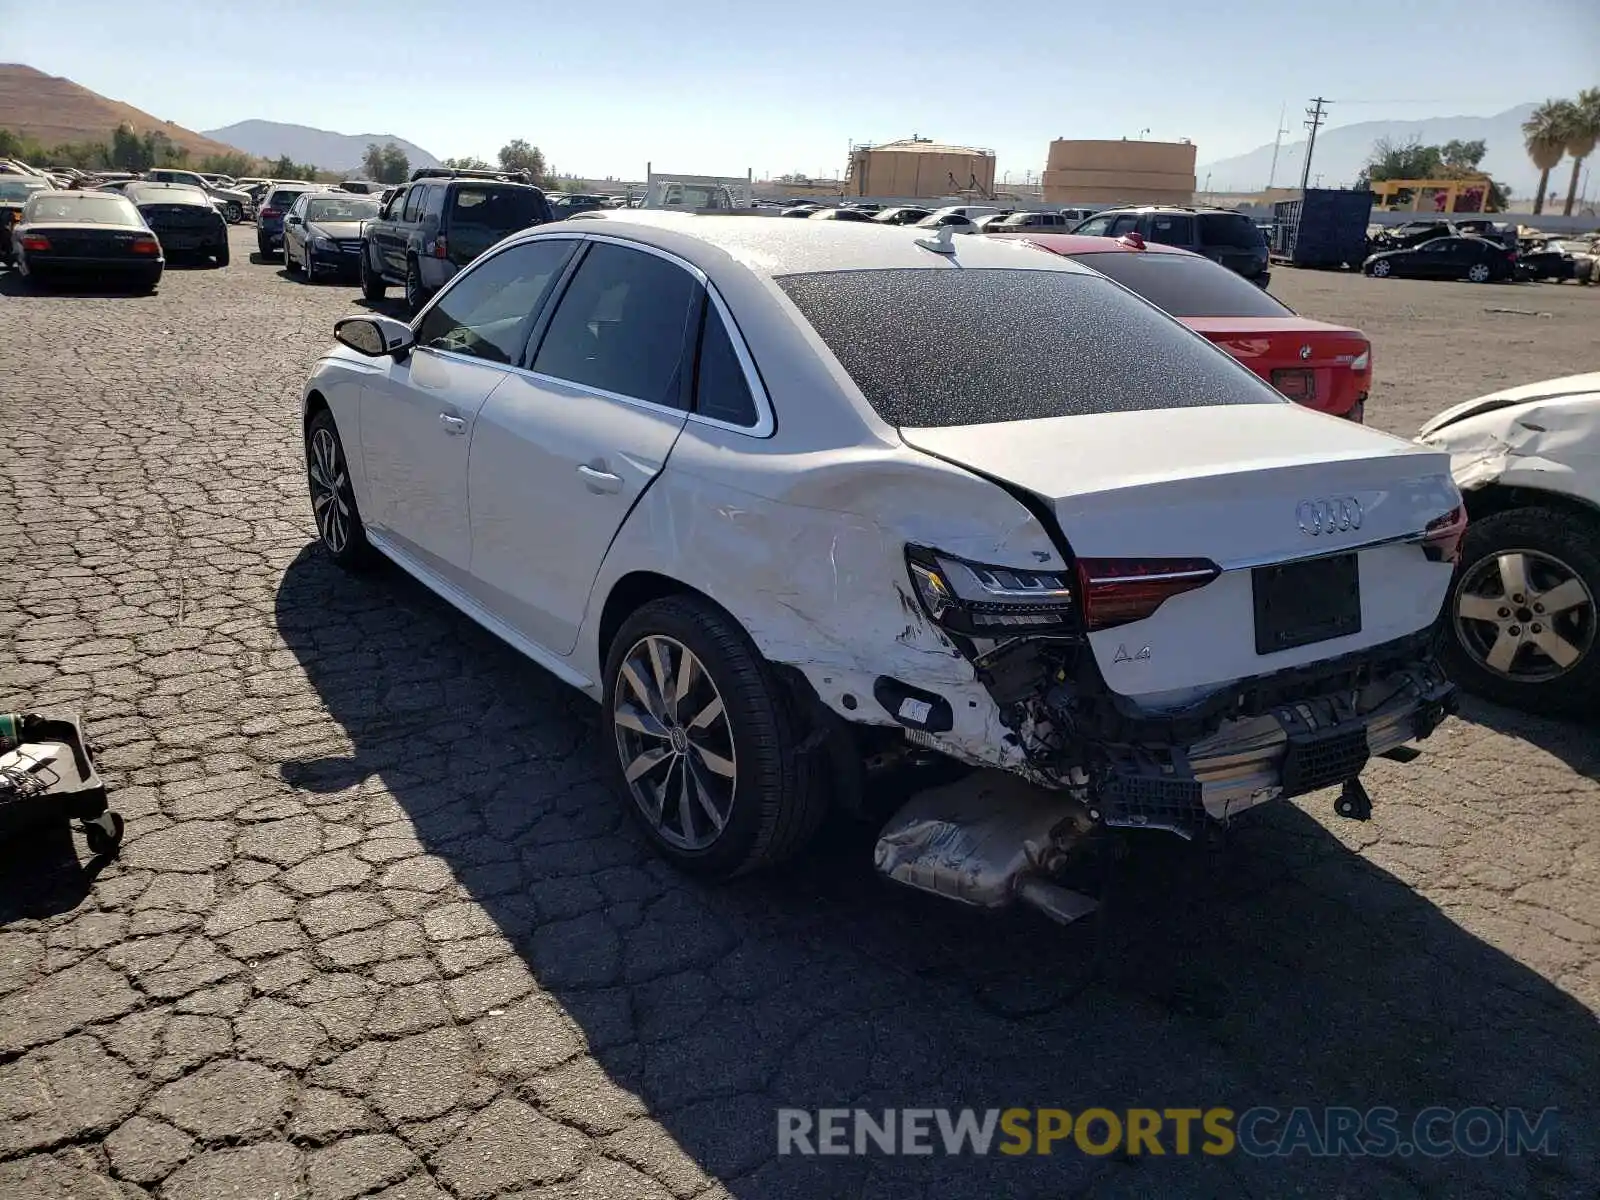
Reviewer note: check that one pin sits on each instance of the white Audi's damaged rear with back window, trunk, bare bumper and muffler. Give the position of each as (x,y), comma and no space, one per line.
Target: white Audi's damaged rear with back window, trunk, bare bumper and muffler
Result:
(1241,599)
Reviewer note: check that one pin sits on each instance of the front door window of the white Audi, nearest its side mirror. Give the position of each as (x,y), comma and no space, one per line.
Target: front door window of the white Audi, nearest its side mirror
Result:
(492,308)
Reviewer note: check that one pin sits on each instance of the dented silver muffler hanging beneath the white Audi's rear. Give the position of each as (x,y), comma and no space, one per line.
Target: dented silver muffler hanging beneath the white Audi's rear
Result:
(988,841)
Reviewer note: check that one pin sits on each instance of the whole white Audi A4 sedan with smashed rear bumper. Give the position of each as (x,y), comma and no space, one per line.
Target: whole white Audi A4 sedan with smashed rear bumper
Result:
(793,498)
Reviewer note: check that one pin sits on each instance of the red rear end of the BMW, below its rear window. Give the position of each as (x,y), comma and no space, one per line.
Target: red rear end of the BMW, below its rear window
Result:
(1306,361)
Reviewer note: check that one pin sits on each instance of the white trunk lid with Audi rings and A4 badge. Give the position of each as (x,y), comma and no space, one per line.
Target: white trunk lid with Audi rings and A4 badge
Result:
(1230,486)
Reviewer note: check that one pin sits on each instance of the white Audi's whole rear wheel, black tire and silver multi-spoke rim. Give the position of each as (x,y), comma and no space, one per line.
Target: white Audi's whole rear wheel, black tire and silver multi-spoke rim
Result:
(703,742)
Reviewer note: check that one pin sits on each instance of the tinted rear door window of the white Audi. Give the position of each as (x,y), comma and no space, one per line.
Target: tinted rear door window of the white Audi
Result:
(622,327)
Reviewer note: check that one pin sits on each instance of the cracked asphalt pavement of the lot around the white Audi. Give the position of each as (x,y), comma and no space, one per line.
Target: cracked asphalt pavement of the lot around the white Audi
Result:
(380,929)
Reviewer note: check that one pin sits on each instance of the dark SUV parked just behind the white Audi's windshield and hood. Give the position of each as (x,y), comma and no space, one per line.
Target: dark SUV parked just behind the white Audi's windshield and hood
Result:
(439,223)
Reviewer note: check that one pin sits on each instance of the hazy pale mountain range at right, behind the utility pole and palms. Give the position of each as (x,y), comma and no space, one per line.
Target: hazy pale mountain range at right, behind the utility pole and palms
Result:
(1342,153)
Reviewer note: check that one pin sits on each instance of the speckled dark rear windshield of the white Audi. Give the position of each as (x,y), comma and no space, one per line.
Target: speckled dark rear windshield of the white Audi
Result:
(962,348)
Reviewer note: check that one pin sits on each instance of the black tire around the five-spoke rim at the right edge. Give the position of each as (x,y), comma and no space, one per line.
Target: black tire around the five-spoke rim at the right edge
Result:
(1556,537)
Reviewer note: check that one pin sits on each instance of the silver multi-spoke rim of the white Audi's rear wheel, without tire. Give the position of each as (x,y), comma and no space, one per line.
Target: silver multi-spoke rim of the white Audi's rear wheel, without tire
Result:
(676,743)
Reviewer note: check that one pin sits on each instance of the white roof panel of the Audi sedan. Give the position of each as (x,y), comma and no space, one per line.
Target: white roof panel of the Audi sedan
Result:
(769,247)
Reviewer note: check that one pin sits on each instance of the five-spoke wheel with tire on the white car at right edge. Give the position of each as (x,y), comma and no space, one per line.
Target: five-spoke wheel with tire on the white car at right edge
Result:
(1524,610)
